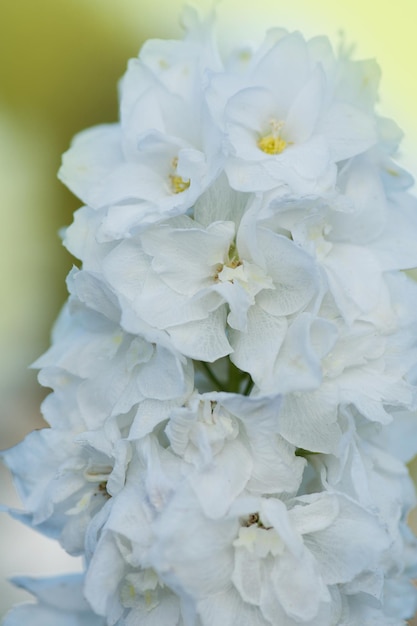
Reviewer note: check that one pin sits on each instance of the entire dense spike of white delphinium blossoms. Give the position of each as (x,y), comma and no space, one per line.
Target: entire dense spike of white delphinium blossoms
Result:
(234,374)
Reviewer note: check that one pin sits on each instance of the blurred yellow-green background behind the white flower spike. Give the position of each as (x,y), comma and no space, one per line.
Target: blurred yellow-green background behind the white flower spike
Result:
(59,64)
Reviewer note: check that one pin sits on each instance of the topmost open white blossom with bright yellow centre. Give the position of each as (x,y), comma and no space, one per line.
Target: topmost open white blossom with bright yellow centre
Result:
(285,127)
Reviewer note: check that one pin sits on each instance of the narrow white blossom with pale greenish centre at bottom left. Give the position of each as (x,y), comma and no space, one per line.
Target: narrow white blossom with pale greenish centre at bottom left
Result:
(120,579)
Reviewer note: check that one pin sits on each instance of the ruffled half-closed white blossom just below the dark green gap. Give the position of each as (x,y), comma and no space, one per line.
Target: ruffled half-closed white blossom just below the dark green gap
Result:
(226,434)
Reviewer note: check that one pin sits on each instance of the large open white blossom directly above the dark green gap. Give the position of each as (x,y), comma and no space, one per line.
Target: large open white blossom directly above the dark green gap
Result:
(224,275)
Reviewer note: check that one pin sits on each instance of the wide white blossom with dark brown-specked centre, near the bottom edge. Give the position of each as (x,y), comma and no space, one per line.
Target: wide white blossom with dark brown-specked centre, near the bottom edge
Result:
(268,556)
